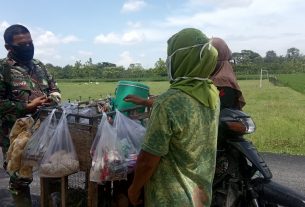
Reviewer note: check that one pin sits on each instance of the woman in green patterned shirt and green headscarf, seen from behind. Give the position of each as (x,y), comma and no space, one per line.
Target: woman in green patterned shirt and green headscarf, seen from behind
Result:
(177,161)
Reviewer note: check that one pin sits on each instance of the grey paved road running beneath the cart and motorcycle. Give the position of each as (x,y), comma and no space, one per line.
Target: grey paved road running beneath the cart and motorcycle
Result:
(287,170)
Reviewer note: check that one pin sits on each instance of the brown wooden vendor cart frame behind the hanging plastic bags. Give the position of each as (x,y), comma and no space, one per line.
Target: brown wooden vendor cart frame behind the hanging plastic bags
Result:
(82,136)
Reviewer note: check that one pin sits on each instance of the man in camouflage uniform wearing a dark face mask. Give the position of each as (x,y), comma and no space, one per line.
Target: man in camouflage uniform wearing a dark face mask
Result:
(25,84)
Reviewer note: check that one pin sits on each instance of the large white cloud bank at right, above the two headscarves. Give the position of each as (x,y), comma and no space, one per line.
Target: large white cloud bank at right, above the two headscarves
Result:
(258,25)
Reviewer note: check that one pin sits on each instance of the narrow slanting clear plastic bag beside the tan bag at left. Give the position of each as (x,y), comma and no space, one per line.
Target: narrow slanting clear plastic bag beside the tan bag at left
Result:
(39,142)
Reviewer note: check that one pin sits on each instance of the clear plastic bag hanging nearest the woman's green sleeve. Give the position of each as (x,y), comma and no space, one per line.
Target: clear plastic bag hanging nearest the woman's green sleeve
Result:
(131,135)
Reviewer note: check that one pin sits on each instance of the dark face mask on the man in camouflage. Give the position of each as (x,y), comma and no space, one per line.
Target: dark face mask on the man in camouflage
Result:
(23,53)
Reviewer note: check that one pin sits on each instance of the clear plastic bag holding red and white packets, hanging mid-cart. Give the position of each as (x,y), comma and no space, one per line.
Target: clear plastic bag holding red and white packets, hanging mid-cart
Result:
(108,162)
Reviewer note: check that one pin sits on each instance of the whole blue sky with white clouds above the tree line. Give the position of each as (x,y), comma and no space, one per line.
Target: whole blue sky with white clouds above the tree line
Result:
(136,31)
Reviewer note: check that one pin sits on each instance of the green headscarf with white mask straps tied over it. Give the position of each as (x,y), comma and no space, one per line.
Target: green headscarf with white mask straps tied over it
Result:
(191,60)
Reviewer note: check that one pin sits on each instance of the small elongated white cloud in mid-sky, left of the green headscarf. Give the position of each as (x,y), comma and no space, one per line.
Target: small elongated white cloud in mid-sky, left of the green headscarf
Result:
(130,37)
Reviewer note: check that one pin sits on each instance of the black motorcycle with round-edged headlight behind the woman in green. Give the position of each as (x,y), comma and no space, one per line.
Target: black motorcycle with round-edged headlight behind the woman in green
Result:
(242,177)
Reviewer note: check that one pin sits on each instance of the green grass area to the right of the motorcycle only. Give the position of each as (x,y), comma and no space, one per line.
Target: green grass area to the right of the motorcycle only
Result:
(279,116)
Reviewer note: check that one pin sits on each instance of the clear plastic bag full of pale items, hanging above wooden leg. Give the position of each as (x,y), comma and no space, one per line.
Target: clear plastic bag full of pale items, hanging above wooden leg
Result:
(60,158)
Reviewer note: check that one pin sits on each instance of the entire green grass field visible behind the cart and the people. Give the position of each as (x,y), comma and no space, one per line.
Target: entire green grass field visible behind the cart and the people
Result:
(277,111)
